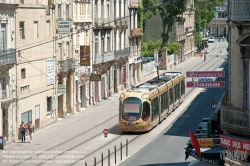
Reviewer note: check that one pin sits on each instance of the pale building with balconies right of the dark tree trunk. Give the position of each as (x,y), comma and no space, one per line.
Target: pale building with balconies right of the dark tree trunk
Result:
(183,32)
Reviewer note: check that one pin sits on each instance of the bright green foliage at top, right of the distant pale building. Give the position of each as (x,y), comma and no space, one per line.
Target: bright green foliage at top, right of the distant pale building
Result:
(204,12)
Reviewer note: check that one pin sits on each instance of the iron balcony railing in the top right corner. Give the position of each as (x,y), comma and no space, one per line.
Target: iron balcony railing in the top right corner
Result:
(240,10)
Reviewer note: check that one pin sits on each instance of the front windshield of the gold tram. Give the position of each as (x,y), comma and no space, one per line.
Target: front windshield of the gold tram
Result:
(131,109)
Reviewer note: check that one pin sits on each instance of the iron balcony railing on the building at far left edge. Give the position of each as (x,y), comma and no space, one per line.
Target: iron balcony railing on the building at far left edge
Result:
(7,57)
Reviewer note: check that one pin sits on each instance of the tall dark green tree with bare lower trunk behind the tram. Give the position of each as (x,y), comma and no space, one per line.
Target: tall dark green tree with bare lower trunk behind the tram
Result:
(170,13)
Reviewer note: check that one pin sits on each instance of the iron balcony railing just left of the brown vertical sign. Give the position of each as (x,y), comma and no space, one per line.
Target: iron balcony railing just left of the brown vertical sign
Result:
(66,65)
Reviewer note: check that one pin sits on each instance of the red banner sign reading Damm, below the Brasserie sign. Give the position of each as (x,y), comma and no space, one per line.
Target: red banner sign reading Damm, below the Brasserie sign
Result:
(210,84)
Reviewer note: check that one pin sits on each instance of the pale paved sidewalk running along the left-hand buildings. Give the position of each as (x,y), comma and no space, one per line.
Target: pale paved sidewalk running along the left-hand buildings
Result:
(91,120)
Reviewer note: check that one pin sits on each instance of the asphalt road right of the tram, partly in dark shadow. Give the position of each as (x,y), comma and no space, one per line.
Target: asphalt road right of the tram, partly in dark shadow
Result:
(167,149)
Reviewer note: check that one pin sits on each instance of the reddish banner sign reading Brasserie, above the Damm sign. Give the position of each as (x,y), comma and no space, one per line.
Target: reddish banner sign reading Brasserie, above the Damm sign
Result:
(205,73)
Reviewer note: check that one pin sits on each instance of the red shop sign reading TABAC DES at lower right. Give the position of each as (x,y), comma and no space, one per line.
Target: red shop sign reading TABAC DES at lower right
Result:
(235,144)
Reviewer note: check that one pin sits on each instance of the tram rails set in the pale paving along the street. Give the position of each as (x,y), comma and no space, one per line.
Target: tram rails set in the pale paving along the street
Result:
(100,124)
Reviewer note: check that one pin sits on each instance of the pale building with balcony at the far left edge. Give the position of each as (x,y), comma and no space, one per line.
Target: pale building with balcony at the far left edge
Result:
(8,70)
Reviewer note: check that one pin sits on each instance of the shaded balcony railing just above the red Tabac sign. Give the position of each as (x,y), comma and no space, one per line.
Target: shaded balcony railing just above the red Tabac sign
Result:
(235,120)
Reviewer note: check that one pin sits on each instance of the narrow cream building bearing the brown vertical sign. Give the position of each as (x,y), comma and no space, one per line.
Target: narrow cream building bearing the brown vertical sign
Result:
(83,46)
